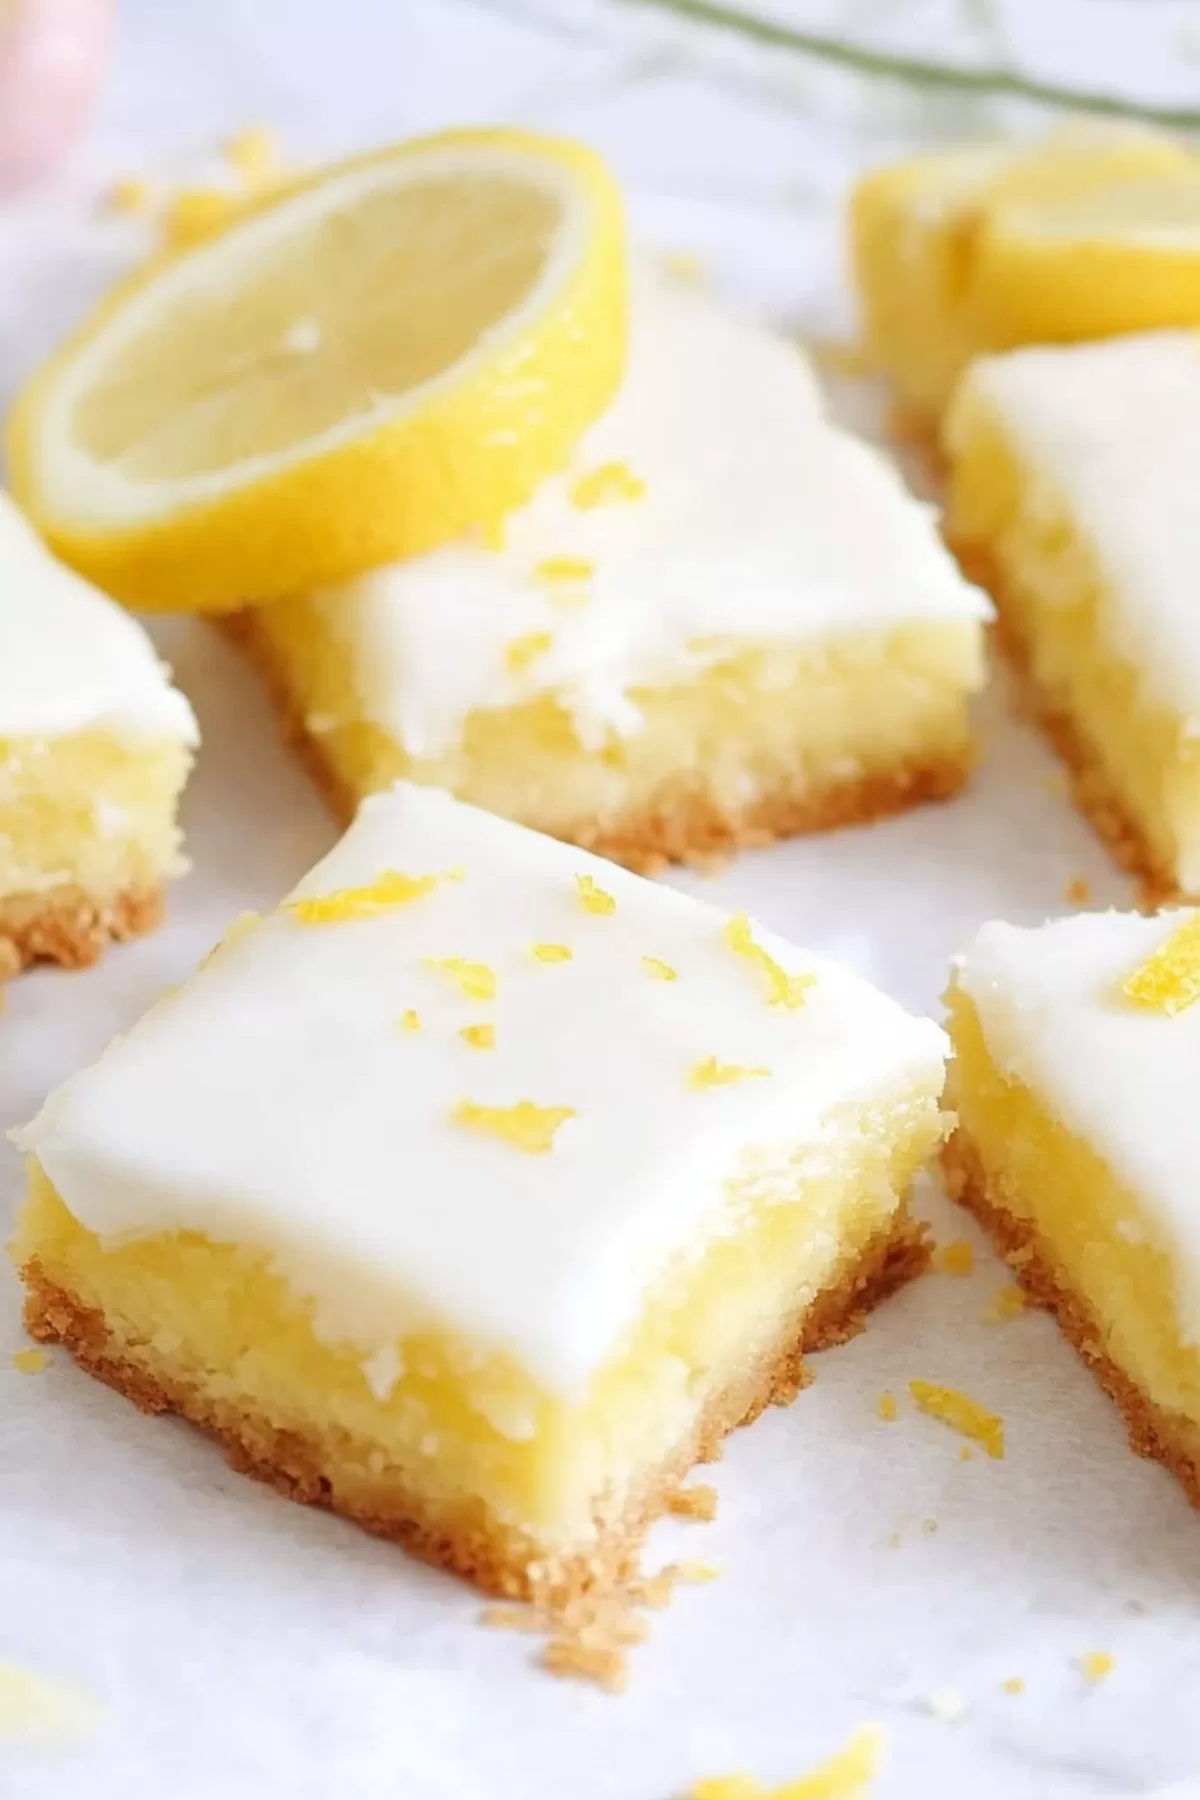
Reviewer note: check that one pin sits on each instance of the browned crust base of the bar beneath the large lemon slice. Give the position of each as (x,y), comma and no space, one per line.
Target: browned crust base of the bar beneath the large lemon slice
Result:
(686,823)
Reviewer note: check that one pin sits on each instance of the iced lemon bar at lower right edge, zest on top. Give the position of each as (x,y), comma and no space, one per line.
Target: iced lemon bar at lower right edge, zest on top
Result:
(1077,1056)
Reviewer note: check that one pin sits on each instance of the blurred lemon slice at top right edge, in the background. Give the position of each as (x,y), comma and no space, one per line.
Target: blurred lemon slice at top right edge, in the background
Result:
(1118,258)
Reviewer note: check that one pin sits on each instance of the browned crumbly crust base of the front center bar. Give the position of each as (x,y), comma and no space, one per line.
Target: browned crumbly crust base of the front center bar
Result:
(474,1545)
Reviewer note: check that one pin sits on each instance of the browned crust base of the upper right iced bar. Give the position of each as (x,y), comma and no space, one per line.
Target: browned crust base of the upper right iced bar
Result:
(1091,786)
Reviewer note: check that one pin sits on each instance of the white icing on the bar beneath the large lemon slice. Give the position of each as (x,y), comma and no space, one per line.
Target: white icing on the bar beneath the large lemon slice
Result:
(758,525)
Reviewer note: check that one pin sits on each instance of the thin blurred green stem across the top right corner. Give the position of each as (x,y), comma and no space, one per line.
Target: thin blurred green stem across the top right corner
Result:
(915,71)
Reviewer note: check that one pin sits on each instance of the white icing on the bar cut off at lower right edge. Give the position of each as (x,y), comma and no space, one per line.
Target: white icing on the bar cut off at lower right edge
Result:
(1118,1075)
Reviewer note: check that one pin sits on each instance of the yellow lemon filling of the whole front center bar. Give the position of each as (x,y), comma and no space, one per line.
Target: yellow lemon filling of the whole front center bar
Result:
(452,1426)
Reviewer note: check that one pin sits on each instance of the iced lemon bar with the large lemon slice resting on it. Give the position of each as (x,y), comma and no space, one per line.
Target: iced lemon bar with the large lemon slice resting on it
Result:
(722,624)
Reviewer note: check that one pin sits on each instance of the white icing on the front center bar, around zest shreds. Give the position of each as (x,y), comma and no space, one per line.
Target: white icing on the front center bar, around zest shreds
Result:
(280,1101)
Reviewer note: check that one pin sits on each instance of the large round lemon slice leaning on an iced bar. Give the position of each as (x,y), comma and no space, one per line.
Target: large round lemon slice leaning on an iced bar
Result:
(375,363)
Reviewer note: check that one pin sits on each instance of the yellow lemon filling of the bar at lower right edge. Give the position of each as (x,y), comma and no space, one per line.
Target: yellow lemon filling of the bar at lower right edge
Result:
(1100,1241)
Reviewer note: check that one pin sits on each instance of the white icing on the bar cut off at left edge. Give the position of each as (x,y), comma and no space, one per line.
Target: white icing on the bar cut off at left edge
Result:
(69,658)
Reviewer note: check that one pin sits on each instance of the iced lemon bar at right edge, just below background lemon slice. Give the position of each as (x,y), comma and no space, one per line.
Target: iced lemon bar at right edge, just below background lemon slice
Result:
(1073,496)
